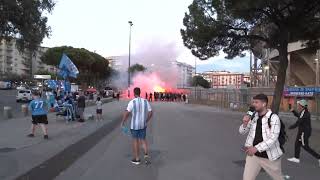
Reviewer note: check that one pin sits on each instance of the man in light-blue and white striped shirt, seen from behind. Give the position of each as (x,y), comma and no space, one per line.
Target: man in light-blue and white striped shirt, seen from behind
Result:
(141,115)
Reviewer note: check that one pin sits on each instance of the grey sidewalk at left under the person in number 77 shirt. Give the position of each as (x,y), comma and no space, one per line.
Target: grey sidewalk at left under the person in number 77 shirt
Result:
(19,154)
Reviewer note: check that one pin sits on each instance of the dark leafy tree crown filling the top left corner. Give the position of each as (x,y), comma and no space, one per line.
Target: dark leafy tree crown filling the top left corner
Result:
(24,20)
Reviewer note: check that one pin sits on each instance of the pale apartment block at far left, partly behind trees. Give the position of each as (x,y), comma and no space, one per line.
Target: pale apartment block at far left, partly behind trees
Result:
(12,61)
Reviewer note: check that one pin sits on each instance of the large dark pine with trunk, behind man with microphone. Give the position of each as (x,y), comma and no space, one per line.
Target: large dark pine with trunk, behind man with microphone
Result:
(234,26)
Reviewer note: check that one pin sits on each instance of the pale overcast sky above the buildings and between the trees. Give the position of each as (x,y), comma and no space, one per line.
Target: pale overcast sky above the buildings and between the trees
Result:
(102,26)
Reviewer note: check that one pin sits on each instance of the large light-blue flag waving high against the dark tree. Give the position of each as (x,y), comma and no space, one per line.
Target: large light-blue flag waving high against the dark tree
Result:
(67,68)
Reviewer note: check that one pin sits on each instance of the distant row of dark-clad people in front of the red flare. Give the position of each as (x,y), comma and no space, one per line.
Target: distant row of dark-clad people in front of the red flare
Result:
(166,96)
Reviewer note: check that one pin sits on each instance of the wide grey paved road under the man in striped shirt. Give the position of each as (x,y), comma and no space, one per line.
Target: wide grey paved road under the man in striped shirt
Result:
(187,142)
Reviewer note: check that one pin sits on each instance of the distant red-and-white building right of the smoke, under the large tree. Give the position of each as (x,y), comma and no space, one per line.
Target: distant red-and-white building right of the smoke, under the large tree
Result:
(224,79)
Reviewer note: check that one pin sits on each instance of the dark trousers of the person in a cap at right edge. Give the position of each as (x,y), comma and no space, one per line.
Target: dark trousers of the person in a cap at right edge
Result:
(302,140)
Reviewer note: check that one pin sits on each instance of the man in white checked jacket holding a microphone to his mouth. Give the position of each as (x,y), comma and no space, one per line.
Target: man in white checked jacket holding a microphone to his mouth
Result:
(262,146)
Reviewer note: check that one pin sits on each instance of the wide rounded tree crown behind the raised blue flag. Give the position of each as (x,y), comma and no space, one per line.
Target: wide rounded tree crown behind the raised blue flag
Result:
(92,67)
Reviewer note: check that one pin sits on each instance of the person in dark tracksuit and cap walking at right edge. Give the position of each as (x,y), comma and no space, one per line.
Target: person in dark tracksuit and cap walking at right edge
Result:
(304,132)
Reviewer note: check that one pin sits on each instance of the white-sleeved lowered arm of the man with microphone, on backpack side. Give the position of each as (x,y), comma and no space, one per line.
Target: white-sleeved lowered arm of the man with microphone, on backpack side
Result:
(275,131)
